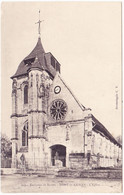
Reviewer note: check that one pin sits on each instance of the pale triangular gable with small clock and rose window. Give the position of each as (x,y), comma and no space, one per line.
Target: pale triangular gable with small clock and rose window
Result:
(61,95)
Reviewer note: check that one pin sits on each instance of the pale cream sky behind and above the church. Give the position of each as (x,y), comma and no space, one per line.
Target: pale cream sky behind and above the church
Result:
(85,37)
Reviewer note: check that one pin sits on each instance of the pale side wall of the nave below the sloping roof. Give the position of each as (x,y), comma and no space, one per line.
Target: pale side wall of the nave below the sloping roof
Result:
(104,152)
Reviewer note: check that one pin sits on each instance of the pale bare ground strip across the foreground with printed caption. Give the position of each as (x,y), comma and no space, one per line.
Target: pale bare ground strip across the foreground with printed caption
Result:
(31,184)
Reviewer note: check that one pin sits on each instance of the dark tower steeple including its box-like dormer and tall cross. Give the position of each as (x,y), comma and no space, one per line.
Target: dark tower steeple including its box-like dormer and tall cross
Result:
(45,61)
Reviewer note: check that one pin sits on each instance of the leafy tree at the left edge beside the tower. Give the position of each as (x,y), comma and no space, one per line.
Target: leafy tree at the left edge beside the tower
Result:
(6,147)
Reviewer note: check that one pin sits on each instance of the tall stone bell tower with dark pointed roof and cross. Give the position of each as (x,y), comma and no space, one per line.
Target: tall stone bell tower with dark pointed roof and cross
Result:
(30,94)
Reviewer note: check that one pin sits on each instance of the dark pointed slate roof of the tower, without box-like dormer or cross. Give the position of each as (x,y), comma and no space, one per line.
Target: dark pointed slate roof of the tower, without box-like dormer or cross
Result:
(30,62)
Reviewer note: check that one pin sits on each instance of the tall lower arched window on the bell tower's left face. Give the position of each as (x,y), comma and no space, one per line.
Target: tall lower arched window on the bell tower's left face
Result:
(25,135)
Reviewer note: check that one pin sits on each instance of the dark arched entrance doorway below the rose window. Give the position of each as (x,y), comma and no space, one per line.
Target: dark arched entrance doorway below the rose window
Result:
(58,155)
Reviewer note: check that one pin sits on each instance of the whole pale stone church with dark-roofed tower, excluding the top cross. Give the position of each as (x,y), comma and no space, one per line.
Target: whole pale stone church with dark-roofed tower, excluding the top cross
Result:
(50,127)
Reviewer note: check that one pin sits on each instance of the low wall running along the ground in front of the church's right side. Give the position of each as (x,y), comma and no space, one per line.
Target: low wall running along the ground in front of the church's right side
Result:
(112,174)
